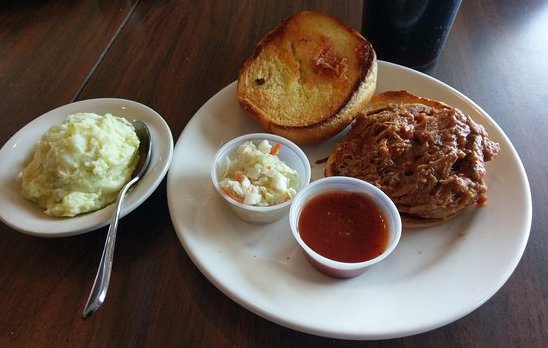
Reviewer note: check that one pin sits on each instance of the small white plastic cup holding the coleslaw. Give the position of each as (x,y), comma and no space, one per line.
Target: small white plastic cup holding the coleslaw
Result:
(289,153)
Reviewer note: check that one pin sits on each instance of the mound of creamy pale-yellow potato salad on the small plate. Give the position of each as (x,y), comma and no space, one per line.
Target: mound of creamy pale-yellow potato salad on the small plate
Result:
(80,165)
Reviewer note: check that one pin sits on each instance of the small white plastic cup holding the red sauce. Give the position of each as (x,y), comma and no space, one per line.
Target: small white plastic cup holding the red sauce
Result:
(340,269)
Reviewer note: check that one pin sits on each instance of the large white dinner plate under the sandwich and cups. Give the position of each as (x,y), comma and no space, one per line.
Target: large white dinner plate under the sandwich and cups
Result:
(435,276)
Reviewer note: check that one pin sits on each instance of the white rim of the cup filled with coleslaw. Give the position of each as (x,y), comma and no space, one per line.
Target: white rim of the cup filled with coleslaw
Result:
(233,143)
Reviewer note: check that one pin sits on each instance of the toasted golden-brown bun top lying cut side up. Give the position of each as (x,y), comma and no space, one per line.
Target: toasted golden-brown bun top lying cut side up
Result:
(306,72)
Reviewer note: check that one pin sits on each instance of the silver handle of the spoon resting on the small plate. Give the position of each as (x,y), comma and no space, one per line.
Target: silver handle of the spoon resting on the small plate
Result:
(102,279)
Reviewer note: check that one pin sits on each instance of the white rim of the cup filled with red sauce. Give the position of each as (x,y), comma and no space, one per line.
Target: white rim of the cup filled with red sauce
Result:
(389,209)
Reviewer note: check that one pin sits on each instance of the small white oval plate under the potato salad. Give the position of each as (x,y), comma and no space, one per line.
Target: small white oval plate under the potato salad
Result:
(27,217)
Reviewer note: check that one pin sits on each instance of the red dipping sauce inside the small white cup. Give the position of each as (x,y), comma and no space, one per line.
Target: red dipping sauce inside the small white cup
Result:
(343,226)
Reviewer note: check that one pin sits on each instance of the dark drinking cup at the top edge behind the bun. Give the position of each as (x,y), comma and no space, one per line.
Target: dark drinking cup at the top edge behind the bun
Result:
(408,32)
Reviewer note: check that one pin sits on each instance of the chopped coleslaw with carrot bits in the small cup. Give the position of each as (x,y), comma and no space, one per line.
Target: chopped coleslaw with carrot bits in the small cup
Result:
(256,176)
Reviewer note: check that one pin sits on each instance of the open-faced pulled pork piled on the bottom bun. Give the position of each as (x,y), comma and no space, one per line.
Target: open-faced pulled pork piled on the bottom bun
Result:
(428,157)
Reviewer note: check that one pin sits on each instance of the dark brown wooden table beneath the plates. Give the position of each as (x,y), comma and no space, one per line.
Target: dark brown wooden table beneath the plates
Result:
(173,56)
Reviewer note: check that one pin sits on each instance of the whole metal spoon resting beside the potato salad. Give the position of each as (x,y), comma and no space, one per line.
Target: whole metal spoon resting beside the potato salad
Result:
(100,285)
